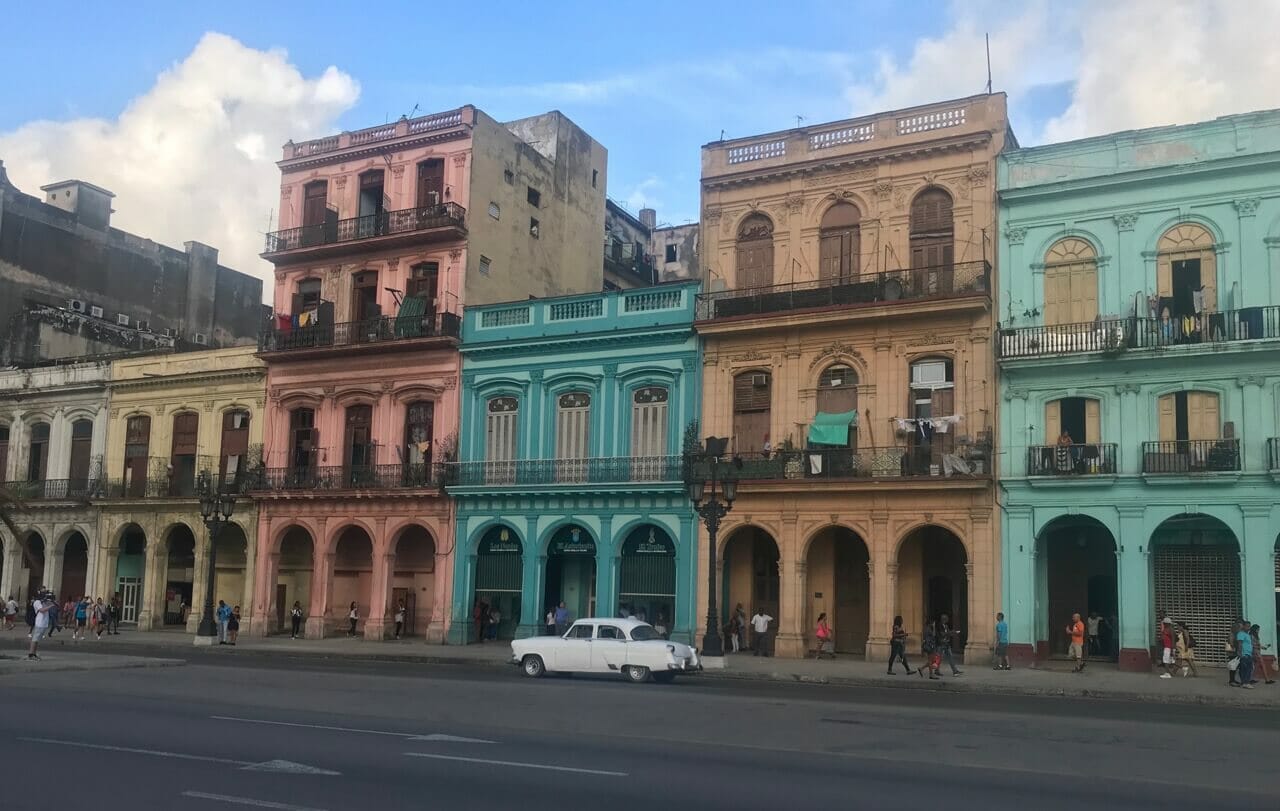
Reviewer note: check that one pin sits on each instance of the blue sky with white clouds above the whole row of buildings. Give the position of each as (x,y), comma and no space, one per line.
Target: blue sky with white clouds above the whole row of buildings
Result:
(651,81)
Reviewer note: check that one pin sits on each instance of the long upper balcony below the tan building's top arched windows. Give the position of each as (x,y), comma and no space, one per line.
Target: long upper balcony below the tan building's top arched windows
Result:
(895,287)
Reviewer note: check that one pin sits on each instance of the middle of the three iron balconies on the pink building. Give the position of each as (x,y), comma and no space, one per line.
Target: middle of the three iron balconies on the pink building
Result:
(330,338)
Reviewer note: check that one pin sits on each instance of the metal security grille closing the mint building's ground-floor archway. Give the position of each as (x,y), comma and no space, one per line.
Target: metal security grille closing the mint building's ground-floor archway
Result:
(1200,587)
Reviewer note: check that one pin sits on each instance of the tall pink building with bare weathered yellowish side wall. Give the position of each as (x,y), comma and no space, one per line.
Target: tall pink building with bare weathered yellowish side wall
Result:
(386,233)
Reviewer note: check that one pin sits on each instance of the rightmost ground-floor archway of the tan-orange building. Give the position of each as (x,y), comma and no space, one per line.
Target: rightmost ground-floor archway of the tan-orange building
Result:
(932,581)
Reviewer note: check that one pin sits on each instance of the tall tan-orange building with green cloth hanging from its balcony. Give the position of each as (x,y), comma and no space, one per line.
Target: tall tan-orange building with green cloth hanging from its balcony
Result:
(847,328)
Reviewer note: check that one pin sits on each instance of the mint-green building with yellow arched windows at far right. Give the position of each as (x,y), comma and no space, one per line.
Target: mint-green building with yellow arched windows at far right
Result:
(1140,359)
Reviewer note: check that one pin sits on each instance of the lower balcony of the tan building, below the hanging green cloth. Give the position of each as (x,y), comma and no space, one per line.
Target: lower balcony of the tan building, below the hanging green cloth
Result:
(922,462)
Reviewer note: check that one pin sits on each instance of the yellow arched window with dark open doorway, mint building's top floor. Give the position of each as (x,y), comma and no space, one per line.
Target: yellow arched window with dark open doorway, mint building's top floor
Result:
(1187,273)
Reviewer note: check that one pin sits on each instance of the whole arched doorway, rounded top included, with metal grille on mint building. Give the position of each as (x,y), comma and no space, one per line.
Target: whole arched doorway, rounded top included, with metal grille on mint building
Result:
(1196,579)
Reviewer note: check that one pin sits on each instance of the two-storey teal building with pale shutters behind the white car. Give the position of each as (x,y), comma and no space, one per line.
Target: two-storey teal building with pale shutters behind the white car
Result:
(569,483)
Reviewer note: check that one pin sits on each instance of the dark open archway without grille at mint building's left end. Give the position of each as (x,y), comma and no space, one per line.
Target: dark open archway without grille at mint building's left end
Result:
(1077,574)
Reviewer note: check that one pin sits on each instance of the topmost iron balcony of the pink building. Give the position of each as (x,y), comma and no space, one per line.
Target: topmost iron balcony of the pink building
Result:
(442,223)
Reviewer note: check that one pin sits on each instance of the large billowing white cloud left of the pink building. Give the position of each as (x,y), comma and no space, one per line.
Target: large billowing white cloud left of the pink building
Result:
(194,158)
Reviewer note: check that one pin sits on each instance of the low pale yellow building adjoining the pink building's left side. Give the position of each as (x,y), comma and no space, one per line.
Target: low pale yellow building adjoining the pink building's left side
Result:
(175,421)
